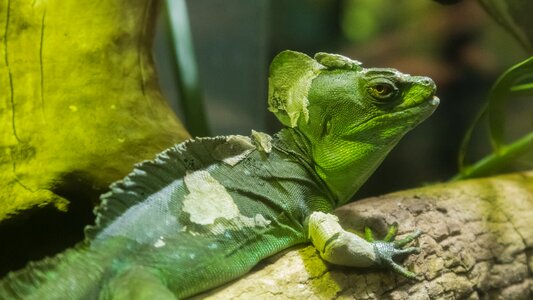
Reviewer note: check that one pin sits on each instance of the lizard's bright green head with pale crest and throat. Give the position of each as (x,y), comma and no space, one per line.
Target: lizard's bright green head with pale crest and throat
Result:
(352,116)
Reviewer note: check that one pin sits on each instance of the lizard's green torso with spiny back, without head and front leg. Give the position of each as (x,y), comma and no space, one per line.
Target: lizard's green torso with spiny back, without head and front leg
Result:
(215,206)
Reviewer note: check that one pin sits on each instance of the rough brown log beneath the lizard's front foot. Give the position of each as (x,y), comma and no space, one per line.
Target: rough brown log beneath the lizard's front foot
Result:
(477,244)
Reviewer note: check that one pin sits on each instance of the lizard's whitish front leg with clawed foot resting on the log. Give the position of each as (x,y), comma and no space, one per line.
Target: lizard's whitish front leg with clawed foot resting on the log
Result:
(341,247)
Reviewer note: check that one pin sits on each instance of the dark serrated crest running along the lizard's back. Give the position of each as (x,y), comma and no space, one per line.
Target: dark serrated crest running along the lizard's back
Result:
(173,164)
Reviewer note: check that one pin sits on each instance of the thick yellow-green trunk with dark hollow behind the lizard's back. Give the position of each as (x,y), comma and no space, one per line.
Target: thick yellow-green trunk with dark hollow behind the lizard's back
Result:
(79,105)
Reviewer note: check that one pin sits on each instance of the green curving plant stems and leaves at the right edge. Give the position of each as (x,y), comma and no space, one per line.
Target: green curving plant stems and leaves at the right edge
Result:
(517,80)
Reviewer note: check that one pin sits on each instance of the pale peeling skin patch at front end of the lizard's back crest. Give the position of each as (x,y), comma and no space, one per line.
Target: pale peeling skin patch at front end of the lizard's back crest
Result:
(235,149)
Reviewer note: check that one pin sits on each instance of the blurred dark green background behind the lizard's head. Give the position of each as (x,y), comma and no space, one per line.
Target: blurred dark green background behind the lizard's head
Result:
(459,46)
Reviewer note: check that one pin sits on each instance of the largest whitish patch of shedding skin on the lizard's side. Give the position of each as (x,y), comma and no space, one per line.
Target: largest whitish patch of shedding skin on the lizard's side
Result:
(208,201)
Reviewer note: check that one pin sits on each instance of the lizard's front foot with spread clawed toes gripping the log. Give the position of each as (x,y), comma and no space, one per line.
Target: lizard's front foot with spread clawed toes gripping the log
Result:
(388,248)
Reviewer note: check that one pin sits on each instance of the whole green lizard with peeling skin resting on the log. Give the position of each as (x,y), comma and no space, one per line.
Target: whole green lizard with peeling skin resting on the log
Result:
(207,210)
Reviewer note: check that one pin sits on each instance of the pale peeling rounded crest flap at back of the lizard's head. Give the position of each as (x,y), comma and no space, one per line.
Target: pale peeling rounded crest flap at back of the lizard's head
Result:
(291,75)
